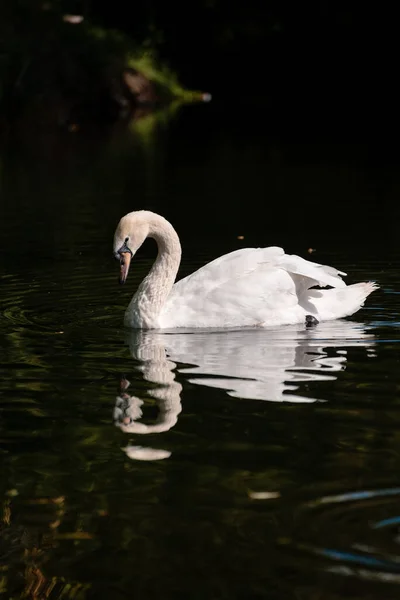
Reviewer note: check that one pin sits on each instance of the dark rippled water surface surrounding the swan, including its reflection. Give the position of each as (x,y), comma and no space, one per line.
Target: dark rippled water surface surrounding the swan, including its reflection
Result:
(241,464)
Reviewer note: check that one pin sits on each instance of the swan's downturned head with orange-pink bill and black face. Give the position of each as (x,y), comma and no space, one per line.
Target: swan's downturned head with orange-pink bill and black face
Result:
(130,234)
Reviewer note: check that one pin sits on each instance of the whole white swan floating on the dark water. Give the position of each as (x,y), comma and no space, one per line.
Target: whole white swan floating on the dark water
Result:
(245,288)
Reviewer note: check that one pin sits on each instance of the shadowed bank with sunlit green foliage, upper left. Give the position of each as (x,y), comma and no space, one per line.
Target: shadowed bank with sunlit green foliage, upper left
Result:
(46,60)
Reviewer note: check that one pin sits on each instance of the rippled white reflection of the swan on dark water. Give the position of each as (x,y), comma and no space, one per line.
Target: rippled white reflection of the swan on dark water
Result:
(259,364)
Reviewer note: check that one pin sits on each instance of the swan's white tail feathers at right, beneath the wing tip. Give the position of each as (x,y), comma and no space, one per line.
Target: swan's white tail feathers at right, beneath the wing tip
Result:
(341,302)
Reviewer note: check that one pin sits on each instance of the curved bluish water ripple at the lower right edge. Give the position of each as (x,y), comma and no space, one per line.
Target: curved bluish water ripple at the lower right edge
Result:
(360,535)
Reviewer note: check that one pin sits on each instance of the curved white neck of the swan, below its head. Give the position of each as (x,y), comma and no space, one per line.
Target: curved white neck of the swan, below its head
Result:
(149,299)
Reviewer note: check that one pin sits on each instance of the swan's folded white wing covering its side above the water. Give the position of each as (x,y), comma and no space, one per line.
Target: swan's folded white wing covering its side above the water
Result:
(248,287)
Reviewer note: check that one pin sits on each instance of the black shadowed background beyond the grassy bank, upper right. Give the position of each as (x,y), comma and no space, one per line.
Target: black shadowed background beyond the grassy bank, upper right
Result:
(320,64)
